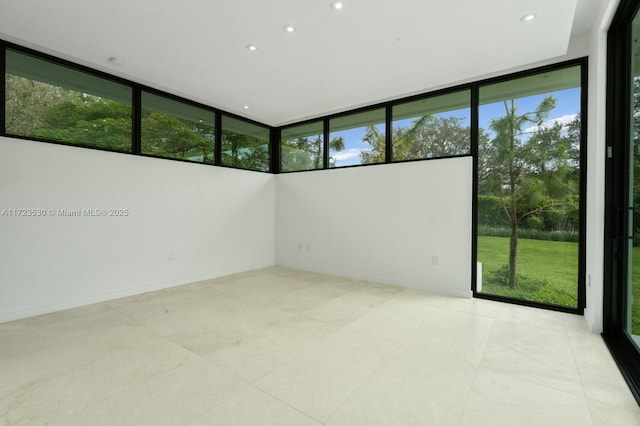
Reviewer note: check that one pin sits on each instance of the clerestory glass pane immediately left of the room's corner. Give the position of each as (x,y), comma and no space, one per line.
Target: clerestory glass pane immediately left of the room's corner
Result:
(244,145)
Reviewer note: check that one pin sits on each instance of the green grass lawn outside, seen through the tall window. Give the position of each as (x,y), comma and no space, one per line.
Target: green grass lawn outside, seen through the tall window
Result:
(547,270)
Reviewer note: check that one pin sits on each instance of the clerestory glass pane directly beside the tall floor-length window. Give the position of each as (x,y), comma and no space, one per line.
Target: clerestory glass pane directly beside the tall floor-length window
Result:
(432,127)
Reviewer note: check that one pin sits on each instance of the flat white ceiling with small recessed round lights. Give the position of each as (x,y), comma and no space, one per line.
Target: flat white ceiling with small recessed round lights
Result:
(370,51)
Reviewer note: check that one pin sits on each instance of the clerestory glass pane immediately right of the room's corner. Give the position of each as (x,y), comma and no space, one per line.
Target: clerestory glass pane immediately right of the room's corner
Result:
(302,147)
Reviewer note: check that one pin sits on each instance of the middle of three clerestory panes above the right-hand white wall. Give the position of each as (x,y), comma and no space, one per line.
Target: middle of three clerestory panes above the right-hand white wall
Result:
(357,139)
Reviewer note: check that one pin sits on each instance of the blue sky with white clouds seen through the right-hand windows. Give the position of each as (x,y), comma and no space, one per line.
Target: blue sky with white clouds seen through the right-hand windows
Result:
(567,106)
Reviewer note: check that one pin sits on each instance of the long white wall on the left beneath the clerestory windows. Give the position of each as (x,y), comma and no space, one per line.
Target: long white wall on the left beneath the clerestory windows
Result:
(186,223)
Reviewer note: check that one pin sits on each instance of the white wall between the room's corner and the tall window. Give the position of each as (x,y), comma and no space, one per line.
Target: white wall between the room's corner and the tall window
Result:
(380,223)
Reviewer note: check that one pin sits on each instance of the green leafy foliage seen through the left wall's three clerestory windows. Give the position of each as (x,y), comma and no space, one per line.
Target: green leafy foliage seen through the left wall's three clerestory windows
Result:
(40,110)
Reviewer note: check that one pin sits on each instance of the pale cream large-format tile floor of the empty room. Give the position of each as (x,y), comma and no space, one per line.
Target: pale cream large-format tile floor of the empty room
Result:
(285,347)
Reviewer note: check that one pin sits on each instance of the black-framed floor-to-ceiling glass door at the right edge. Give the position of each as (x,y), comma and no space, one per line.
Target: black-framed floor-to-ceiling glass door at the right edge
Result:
(622,232)
